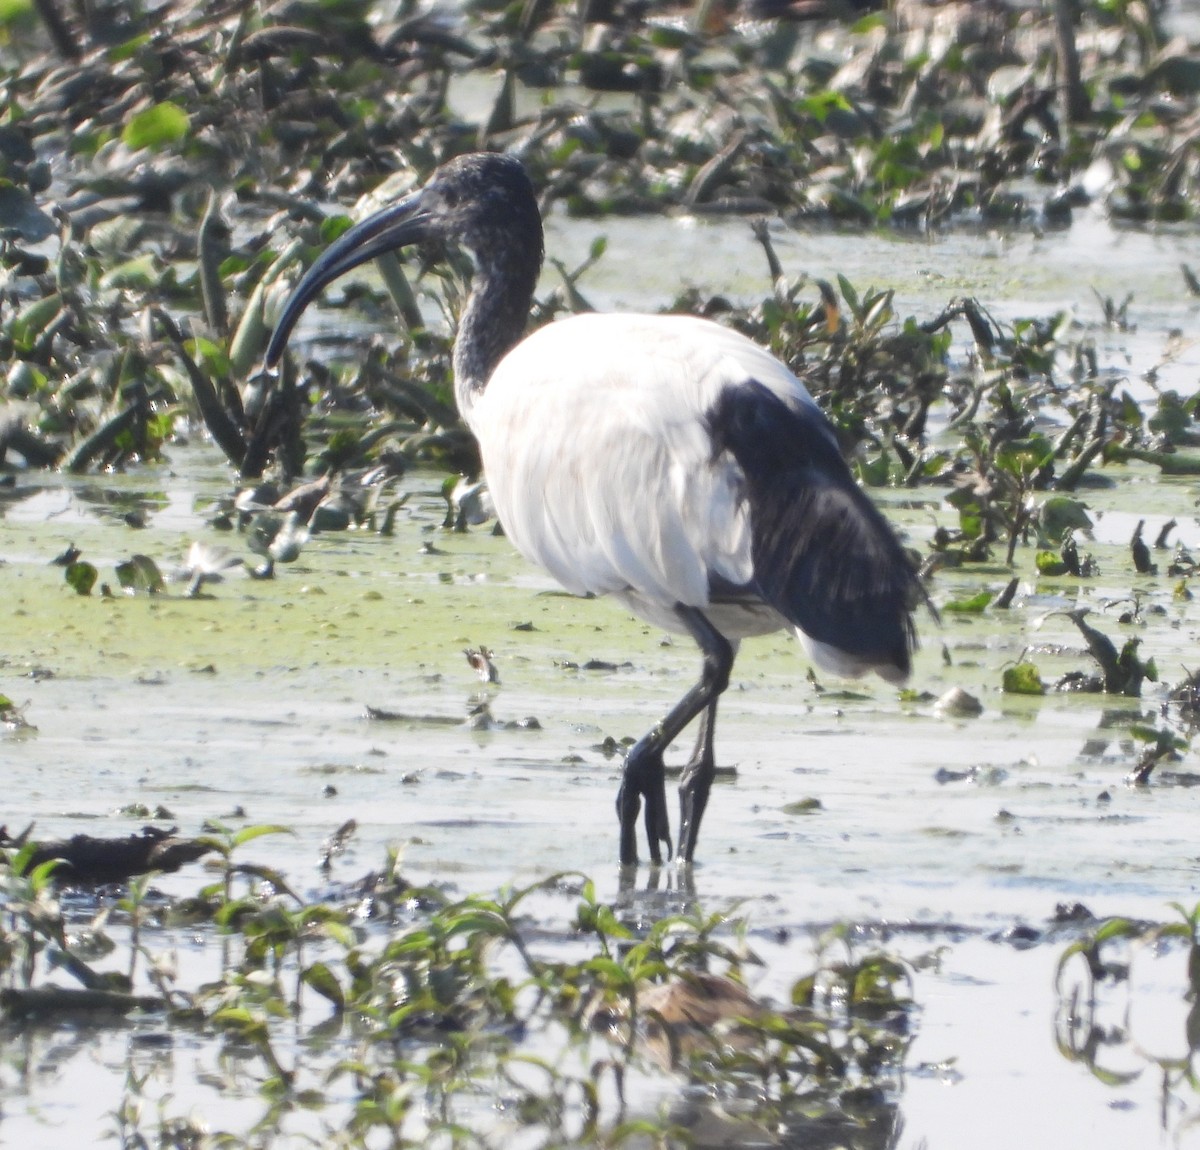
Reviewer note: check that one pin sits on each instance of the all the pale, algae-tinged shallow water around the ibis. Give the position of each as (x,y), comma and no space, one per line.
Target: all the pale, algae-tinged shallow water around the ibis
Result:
(950,836)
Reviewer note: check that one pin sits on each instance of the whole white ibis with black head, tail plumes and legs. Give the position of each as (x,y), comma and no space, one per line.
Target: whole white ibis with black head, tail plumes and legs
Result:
(664,460)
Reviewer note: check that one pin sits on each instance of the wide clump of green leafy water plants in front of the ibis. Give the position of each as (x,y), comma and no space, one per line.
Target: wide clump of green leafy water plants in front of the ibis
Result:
(399,1011)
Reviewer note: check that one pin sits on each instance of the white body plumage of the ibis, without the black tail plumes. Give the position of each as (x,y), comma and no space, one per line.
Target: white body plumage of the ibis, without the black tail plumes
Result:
(619,489)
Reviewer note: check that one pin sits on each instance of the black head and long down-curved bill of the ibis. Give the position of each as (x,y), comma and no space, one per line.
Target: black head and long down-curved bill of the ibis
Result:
(483,201)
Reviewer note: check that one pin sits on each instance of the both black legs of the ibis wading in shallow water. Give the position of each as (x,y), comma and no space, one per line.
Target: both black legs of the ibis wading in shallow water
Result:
(644,765)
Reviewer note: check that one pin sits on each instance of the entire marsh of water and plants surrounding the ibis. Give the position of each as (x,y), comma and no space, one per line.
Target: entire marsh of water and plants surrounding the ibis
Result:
(962,914)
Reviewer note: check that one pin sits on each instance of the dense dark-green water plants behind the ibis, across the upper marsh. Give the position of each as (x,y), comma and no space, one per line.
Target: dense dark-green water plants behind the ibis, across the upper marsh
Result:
(147,263)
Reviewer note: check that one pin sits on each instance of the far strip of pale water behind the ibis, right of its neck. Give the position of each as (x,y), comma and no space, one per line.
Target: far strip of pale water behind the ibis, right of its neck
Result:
(1012,274)
